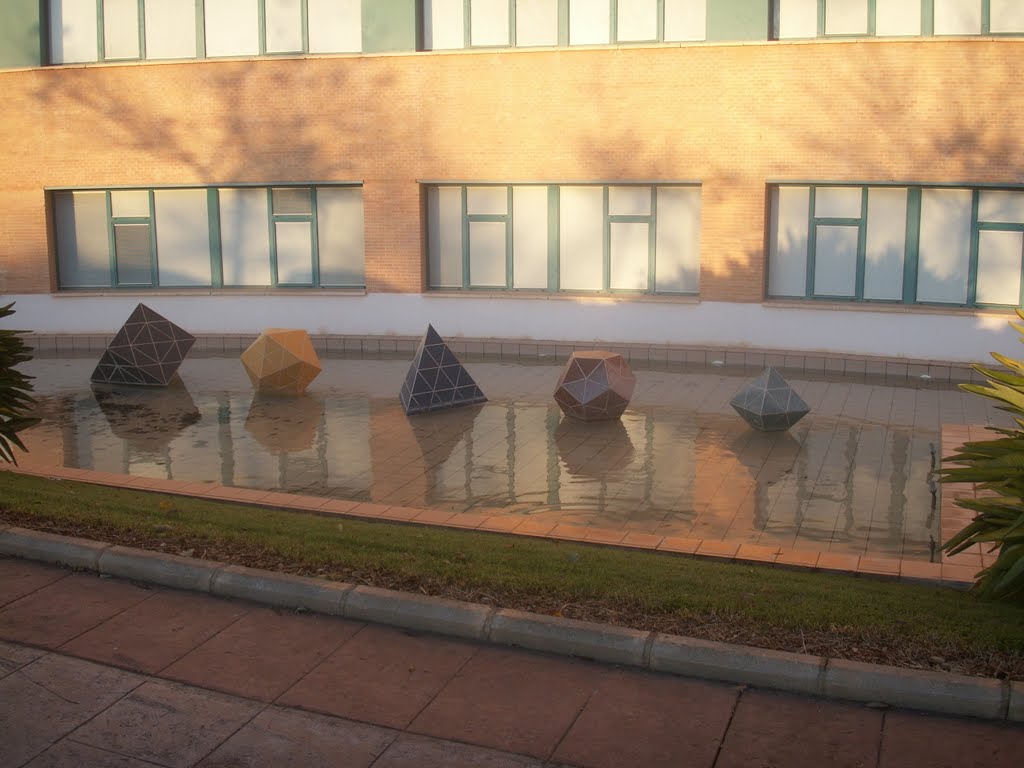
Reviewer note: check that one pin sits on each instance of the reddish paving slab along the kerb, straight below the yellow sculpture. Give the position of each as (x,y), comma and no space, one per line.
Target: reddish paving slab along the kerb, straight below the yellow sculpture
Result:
(264,654)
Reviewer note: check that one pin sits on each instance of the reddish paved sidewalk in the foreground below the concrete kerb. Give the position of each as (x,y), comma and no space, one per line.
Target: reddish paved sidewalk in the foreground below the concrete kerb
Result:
(101,672)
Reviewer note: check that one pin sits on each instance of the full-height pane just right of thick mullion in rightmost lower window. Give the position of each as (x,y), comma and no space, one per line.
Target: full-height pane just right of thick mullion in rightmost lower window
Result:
(946,245)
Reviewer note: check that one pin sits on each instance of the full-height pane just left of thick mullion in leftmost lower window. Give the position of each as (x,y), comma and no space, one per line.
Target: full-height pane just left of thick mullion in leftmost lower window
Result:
(183,237)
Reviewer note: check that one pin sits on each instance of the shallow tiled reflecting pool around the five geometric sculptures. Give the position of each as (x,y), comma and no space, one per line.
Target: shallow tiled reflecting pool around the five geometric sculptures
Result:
(854,477)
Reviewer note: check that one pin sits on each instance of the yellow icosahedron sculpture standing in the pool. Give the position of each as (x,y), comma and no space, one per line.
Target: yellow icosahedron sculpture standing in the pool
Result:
(282,361)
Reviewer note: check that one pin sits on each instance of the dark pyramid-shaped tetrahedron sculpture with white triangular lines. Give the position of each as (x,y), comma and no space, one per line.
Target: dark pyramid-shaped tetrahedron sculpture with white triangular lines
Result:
(437,379)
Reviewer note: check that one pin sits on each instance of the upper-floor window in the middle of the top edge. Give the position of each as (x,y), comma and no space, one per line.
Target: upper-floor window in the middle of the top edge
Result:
(472,24)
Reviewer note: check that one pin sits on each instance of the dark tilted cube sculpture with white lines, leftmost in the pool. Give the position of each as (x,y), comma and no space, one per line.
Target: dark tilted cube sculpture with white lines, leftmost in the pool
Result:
(147,351)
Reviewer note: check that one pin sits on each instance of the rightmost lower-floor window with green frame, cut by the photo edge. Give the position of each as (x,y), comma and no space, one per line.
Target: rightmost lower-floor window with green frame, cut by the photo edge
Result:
(899,244)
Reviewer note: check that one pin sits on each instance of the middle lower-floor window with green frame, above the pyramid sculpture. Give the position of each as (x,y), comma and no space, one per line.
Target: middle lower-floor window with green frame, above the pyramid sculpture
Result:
(627,238)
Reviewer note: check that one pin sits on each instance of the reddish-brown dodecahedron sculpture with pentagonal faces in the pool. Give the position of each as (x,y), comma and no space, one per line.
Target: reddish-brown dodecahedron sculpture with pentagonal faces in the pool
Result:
(595,387)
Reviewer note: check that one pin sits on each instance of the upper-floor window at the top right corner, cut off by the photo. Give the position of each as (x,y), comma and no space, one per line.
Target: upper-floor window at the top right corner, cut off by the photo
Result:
(809,19)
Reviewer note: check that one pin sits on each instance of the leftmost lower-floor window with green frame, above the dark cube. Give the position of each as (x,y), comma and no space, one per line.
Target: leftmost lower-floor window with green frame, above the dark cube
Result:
(227,237)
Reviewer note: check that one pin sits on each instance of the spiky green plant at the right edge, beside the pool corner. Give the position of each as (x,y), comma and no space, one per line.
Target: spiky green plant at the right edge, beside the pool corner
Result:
(996,466)
